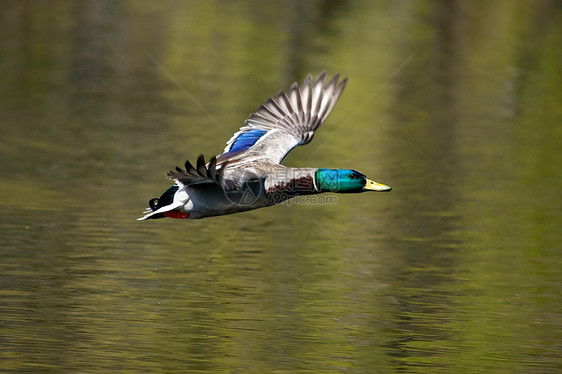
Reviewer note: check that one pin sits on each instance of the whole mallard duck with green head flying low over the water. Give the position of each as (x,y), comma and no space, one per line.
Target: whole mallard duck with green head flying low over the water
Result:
(248,174)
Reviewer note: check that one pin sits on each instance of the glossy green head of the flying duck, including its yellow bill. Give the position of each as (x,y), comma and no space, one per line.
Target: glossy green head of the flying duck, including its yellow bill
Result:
(346,180)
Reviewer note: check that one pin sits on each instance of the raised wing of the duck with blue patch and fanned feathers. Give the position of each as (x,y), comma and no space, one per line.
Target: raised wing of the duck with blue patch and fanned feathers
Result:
(285,121)
